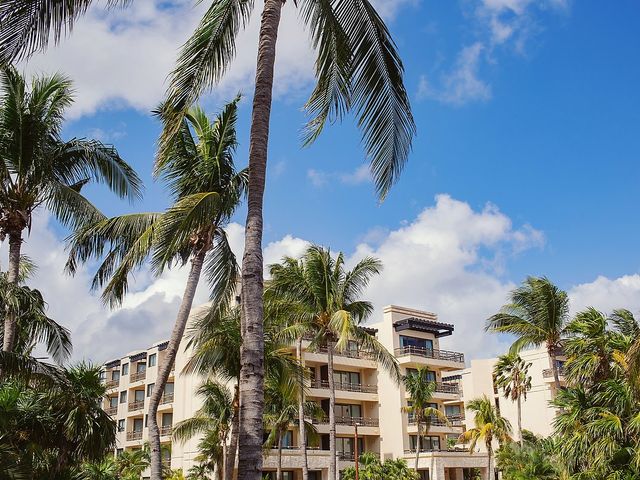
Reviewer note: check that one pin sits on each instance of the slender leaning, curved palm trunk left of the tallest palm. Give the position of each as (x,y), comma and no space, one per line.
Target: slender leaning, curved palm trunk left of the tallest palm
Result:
(170,356)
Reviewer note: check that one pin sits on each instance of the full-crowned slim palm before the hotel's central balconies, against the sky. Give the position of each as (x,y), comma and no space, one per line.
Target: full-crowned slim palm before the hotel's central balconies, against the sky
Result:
(329,312)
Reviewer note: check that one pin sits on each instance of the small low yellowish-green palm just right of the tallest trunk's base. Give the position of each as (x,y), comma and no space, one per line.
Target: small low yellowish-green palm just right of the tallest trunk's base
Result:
(282,399)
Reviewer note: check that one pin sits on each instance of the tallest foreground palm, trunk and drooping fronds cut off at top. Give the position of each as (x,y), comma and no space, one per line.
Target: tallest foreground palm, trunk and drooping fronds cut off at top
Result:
(358,69)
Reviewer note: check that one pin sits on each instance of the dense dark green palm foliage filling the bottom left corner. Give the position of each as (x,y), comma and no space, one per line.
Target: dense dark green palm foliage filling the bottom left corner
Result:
(52,431)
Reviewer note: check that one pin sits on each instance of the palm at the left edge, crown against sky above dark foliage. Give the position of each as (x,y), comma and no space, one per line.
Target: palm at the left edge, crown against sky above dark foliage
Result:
(40,169)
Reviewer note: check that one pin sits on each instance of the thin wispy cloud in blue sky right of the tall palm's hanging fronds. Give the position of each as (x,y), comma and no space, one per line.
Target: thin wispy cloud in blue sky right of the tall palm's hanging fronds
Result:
(463,84)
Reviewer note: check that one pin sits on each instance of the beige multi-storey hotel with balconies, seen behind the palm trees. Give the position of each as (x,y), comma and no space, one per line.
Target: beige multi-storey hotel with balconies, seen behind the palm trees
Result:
(366,399)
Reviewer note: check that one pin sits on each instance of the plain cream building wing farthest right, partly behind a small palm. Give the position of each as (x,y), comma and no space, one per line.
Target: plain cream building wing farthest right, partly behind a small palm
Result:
(537,414)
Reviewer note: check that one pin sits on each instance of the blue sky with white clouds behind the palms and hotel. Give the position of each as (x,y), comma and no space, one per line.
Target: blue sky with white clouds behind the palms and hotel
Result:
(526,160)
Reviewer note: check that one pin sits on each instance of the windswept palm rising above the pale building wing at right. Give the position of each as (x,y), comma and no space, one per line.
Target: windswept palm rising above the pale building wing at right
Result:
(536,315)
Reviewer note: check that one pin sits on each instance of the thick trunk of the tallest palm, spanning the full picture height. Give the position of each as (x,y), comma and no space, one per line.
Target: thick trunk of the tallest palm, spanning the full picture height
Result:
(252,353)
